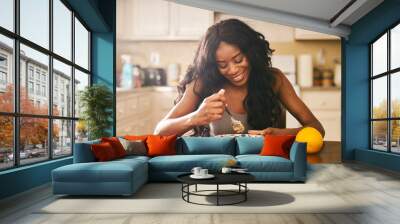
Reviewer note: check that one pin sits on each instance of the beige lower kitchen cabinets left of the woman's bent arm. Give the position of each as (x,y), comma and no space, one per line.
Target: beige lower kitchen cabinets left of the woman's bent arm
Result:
(139,110)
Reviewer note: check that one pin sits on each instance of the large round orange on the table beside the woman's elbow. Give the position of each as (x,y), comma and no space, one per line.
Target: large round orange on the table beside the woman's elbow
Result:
(312,137)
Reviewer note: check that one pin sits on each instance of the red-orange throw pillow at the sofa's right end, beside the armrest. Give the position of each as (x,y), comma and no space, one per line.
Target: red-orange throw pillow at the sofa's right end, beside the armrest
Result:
(277,145)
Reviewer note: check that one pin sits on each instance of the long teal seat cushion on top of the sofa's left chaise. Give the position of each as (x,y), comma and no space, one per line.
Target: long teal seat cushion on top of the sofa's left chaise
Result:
(111,171)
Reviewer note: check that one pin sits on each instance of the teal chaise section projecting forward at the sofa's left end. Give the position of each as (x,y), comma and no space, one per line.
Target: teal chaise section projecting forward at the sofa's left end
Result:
(118,177)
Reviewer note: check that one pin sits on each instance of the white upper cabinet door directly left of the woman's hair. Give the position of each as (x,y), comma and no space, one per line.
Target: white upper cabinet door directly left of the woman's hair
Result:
(189,22)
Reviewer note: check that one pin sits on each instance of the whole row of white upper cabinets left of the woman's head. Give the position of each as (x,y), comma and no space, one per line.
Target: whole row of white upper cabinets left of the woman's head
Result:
(144,20)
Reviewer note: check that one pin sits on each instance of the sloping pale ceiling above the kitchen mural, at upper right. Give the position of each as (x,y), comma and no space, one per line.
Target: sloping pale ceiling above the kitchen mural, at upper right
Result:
(315,15)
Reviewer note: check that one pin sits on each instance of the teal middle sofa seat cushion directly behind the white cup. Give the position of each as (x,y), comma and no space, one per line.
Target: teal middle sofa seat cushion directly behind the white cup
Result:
(185,163)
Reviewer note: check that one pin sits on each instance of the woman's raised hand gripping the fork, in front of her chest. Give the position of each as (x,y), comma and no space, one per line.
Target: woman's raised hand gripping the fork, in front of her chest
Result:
(210,109)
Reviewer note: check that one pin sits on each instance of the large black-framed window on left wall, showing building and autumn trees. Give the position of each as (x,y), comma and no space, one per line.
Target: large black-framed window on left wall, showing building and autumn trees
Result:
(44,64)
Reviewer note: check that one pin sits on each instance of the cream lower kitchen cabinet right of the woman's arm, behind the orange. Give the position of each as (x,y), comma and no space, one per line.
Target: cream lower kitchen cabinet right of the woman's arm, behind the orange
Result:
(326,106)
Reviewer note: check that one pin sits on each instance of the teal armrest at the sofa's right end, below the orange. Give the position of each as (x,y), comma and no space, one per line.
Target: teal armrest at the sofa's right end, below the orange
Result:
(298,156)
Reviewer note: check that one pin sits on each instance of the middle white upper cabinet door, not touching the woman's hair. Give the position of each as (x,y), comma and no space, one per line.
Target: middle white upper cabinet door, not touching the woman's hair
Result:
(150,19)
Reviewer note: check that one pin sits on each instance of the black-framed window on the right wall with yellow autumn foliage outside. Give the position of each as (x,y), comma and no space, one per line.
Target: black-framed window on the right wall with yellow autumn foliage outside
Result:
(385,91)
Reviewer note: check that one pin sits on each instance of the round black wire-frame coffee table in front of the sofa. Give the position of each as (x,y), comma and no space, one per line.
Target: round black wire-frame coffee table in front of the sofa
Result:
(238,179)
